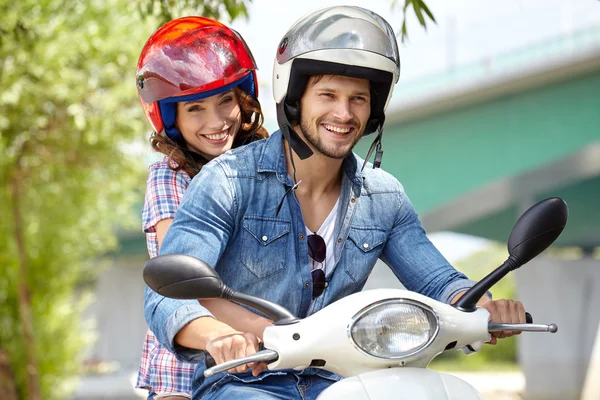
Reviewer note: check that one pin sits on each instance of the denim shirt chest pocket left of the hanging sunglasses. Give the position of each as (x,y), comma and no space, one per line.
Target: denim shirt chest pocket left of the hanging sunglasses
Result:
(264,245)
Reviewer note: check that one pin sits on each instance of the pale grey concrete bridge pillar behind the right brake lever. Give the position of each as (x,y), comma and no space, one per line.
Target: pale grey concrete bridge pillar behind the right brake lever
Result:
(568,294)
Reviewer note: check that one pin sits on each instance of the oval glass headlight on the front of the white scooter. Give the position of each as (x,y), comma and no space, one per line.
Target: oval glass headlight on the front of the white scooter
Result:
(394,328)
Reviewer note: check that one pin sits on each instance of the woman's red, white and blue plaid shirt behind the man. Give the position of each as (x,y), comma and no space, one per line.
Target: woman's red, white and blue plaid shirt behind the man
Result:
(160,372)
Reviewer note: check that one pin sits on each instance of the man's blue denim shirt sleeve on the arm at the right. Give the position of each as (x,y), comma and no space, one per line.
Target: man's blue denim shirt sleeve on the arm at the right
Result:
(416,261)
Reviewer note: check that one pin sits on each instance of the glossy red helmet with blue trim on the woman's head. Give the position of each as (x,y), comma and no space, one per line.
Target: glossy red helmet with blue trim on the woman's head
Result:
(191,58)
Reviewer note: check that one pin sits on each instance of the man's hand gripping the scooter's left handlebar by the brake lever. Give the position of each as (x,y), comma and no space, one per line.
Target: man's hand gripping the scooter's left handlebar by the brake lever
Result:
(233,346)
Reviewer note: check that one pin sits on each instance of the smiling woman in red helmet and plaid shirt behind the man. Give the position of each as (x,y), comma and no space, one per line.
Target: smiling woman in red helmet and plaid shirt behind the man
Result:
(196,80)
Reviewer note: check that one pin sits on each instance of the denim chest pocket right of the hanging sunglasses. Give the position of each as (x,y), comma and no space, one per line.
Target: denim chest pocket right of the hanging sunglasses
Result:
(363,247)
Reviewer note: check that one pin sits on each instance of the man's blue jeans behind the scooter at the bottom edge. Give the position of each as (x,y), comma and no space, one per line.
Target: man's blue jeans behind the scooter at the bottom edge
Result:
(269,386)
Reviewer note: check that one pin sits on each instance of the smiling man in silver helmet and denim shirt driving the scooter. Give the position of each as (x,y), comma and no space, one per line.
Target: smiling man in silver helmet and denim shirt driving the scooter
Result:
(295,218)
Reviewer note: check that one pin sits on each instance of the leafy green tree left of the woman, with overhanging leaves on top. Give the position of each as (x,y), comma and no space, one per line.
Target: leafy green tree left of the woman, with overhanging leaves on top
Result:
(68,105)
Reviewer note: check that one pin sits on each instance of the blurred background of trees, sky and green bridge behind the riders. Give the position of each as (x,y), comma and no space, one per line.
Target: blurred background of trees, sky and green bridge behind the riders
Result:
(497,107)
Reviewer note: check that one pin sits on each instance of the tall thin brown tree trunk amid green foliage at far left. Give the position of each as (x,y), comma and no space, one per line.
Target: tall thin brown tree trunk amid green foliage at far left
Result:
(31,367)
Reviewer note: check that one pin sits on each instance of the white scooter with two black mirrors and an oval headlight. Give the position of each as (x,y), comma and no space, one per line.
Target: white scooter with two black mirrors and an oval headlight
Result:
(380,341)
